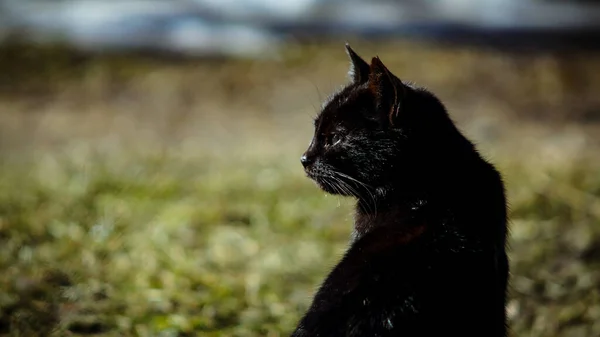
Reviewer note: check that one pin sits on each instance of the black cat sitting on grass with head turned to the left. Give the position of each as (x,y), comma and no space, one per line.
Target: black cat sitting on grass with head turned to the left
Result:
(428,256)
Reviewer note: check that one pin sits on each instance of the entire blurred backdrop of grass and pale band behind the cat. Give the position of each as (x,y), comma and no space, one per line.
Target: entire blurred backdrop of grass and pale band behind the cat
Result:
(150,182)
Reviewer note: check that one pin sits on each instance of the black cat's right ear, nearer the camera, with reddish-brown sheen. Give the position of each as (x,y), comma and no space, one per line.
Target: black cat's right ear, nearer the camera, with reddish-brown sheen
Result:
(387,88)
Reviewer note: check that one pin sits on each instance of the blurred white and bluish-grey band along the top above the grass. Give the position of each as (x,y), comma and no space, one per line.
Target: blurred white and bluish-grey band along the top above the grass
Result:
(255,28)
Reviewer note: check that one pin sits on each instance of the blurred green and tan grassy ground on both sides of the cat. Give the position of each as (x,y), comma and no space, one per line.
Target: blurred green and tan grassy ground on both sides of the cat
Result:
(176,206)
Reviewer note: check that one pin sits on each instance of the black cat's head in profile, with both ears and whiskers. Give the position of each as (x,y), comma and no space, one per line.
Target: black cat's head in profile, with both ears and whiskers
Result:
(372,130)
